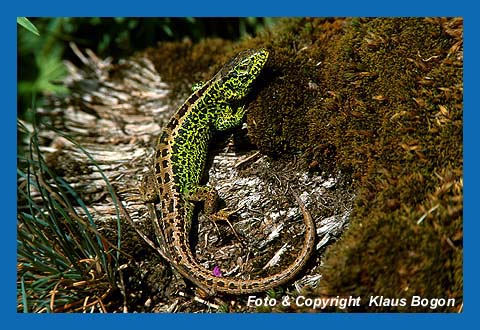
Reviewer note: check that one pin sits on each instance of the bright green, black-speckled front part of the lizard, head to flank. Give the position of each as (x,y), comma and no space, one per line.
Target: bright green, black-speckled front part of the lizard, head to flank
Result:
(216,105)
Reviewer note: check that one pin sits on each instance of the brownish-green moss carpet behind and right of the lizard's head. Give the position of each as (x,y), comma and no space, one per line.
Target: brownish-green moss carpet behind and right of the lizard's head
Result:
(380,100)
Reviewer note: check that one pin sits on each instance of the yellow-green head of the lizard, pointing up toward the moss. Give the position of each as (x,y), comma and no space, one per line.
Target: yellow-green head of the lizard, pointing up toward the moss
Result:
(236,77)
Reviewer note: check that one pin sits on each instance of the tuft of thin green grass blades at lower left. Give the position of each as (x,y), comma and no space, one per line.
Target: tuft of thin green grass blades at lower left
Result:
(58,242)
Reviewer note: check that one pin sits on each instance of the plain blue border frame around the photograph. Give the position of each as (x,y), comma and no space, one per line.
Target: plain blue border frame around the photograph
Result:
(238,8)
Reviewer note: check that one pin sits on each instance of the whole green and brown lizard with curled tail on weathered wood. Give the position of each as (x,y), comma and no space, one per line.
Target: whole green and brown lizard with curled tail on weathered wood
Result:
(180,157)
